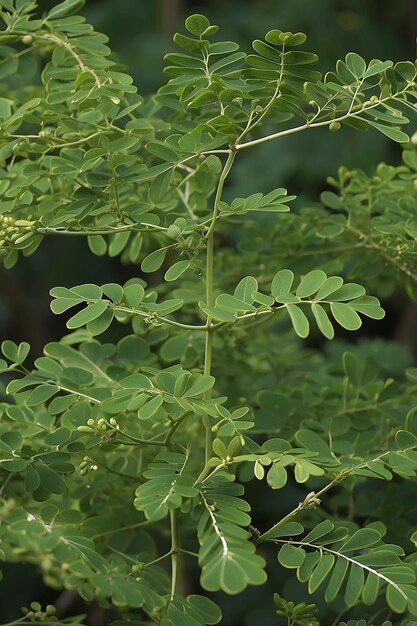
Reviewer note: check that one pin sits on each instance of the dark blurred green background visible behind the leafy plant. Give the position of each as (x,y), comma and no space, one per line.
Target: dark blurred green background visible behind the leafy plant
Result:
(140,34)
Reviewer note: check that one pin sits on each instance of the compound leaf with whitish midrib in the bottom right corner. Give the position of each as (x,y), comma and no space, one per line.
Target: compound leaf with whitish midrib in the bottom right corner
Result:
(358,563)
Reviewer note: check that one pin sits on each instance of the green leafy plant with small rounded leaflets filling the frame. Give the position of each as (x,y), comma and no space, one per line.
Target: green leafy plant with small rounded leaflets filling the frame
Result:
(127,447)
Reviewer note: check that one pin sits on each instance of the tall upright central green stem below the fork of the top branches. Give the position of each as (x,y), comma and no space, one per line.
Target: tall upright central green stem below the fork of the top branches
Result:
(210,289)
